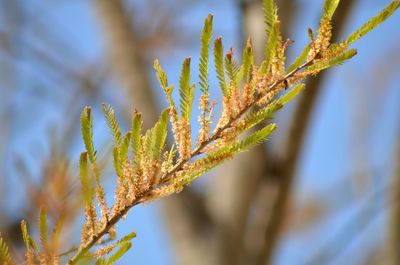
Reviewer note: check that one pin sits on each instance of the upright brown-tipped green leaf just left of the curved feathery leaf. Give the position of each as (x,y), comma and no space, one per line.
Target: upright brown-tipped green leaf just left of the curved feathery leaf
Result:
(87,133)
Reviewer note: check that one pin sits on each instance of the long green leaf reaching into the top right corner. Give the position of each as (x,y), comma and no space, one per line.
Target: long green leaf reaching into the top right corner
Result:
(373,22)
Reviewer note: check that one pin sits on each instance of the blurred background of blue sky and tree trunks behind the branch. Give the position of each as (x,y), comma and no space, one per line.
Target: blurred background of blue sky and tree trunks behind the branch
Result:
(333,166)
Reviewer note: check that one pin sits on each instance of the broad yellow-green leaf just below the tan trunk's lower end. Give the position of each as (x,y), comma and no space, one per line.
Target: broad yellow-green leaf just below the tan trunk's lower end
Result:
(156,136)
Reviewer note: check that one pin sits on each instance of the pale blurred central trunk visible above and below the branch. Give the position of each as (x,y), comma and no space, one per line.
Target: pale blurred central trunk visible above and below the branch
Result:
(232,191)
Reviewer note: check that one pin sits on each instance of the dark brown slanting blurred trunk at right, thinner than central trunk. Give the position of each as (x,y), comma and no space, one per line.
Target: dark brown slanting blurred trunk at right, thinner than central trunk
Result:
(297,132)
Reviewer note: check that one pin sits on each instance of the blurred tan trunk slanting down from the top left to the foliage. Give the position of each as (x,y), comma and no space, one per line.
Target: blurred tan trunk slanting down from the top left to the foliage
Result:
(125,59)
